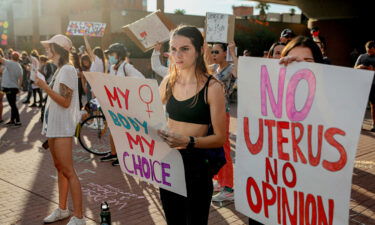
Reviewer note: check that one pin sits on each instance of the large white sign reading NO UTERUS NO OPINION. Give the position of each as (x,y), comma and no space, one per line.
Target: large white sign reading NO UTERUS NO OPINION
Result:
(298,129)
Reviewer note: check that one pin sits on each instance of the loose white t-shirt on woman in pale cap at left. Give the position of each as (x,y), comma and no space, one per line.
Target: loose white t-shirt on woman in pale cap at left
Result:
(60,121)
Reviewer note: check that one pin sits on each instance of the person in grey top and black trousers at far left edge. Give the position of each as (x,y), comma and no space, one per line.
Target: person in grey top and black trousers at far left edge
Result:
(11,83)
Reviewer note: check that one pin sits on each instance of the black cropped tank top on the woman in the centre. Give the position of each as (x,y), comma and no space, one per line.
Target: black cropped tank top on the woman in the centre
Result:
(185,111)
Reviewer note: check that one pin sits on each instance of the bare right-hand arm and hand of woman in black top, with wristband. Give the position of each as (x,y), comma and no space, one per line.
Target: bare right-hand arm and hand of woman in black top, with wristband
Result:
(216,100)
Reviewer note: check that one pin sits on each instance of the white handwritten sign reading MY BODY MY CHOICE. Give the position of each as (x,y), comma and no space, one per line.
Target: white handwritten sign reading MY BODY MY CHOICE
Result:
(134,113)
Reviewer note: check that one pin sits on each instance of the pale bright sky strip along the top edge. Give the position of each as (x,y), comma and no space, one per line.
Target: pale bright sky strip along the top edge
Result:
(200,7)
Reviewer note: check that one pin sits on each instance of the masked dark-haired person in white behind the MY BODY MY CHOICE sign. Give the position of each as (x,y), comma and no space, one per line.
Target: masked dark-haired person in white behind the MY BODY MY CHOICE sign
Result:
(119,67)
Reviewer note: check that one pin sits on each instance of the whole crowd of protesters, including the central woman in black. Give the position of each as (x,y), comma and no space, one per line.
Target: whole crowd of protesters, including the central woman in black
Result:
(196,88)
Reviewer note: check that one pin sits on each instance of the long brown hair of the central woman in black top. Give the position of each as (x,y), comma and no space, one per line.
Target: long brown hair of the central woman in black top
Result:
(197,41)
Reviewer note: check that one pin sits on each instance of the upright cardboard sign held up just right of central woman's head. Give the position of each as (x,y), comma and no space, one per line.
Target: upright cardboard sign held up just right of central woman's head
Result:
(219,27)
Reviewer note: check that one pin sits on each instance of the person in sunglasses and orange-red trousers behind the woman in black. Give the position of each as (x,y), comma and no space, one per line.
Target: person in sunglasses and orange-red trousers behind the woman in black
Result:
(226,73)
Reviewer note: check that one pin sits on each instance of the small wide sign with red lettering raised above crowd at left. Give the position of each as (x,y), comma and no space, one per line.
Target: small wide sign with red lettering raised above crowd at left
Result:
(81,28)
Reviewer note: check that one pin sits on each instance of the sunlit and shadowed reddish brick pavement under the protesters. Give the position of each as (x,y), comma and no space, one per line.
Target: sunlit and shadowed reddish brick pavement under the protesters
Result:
(28,183)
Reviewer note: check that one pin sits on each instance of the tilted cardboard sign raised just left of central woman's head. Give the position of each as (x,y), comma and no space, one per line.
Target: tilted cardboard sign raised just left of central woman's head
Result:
(149,30)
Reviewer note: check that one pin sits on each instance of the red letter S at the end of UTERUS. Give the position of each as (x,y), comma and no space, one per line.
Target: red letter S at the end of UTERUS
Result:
(339,164)
